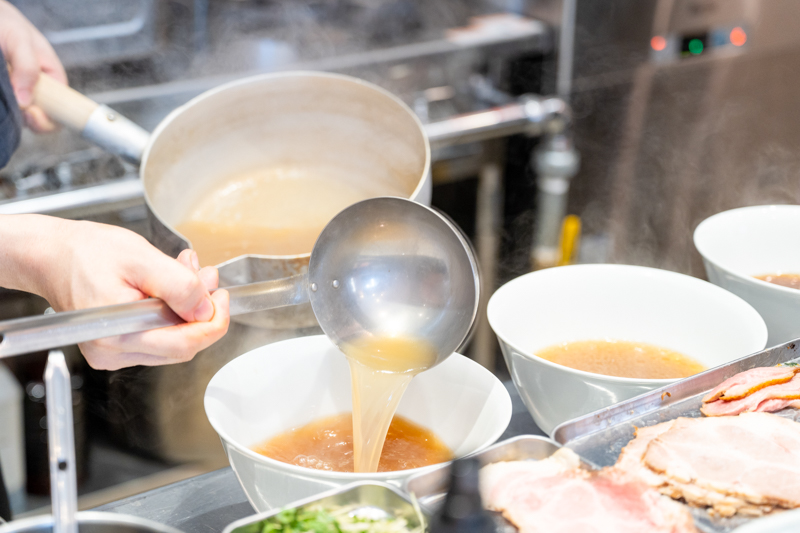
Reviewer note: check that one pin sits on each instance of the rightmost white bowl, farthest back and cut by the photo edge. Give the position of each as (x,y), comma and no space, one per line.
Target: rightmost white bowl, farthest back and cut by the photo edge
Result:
(739,244)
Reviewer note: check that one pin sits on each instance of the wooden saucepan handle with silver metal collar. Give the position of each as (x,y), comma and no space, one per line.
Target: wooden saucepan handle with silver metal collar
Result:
(95,122)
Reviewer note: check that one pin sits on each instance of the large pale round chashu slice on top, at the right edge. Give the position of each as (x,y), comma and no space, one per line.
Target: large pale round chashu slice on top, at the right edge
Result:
(753,457)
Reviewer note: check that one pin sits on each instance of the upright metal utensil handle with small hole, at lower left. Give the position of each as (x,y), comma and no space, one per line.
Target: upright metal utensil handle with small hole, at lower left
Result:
(61,443)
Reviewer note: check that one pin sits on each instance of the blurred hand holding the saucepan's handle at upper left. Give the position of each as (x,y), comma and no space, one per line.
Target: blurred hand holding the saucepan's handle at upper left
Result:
(28,54)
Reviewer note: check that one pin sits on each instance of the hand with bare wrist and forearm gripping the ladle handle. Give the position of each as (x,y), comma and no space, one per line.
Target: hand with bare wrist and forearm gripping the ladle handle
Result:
(75,265)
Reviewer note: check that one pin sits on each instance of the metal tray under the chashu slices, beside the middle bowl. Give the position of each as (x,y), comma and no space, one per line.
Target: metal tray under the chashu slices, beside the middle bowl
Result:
(600,436)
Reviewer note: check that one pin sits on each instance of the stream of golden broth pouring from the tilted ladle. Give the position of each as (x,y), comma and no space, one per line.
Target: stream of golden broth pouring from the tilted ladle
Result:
(381,369)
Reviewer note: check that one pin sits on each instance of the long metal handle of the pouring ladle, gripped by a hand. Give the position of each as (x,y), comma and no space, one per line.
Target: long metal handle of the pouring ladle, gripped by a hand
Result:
(34,334)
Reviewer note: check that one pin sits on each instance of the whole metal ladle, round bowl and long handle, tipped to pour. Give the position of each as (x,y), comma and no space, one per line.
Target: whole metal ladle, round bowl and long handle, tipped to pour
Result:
(381,267)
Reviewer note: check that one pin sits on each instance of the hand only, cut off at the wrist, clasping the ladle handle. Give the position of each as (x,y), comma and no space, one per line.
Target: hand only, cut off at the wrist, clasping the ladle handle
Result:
(104,265)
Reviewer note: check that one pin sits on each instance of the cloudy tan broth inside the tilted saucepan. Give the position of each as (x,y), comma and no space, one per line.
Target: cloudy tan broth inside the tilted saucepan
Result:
(274,211)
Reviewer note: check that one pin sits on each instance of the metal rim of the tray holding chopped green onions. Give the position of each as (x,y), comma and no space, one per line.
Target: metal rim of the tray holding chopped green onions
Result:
(373,499)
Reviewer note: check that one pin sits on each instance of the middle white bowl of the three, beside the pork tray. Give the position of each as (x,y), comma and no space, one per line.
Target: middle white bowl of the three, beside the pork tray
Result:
(614,302)
